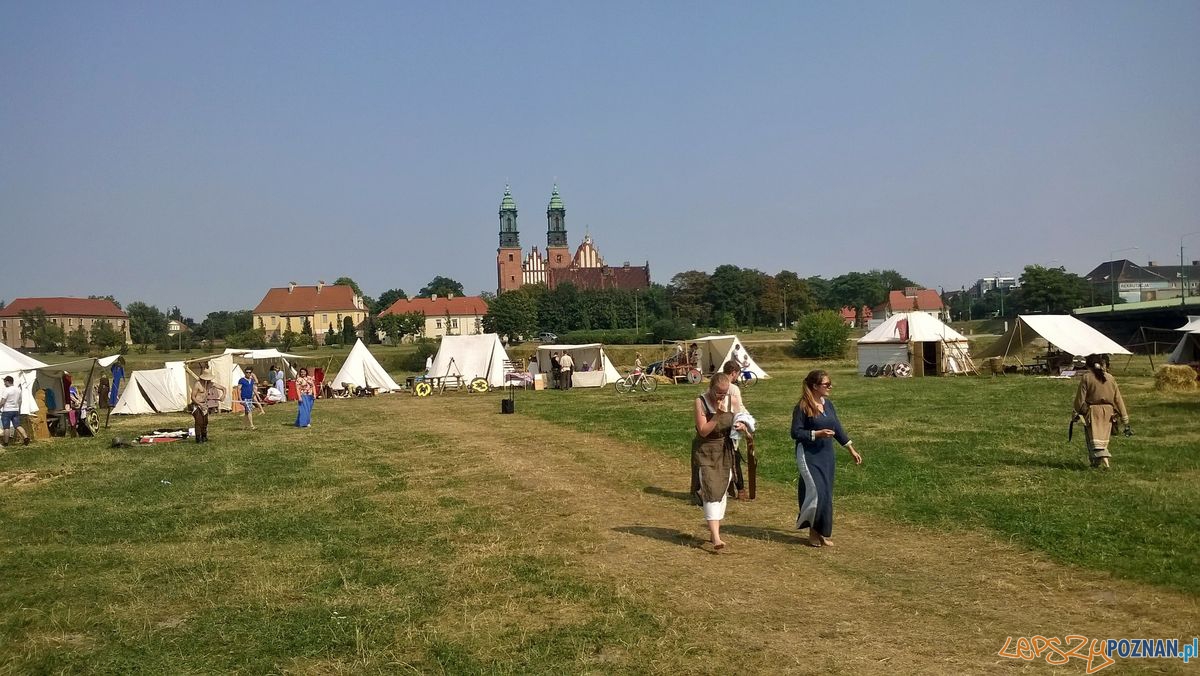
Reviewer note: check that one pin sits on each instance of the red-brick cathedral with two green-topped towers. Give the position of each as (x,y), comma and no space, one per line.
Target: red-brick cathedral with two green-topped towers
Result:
(586,270)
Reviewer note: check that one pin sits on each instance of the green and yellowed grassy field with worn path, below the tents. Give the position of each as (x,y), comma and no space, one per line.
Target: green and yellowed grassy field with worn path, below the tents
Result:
(436,536)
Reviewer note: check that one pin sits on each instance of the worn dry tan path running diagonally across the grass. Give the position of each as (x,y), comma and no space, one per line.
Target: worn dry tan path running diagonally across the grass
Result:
(885,600)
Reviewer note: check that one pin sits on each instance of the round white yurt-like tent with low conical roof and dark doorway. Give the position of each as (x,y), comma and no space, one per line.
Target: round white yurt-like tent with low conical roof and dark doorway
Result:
(919,340)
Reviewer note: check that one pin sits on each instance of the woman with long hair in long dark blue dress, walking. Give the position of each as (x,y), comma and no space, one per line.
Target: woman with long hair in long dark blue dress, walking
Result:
(814,427)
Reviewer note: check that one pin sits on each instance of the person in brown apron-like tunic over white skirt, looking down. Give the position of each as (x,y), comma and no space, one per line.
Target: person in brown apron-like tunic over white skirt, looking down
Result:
(712,454)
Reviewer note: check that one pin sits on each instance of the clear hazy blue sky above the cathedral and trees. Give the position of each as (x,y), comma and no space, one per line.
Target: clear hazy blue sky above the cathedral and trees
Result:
(196,154)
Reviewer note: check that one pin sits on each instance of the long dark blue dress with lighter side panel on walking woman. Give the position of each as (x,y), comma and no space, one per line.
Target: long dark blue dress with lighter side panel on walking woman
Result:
(815,462)
